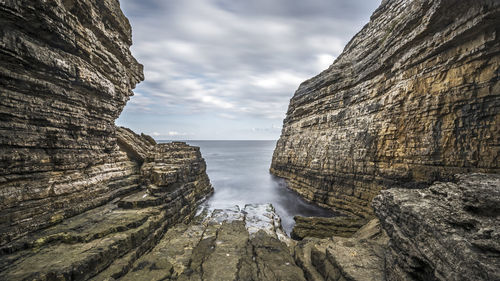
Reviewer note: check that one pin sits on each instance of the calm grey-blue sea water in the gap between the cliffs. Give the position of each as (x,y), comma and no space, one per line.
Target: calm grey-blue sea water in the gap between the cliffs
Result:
(239,172)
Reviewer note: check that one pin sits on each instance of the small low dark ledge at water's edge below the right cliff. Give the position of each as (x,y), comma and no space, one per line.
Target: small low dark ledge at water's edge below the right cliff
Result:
(325,227)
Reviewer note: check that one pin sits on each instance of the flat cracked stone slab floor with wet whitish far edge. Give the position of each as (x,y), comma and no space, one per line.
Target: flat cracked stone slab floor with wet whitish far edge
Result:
(230,244)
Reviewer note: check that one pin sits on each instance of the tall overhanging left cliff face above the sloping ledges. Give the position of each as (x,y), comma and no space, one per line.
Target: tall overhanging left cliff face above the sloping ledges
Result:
(66,73)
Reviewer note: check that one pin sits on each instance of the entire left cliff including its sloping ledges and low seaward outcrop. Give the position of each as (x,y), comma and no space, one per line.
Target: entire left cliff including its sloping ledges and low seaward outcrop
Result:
(77,194)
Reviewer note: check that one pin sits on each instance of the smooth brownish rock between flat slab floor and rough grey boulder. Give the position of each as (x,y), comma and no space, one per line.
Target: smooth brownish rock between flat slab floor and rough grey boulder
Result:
(360,257)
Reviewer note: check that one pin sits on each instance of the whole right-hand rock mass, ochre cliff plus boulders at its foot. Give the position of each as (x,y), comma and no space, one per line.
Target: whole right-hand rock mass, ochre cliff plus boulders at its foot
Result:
(409,111)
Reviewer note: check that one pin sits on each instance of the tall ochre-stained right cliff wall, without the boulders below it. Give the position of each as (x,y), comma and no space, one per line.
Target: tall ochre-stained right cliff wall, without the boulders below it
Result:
(413,98)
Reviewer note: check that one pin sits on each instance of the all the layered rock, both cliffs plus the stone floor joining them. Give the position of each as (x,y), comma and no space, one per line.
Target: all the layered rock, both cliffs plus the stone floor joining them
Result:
(400,134)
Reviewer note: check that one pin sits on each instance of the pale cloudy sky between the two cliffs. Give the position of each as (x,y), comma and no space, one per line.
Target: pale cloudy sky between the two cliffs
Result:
(226,69)
